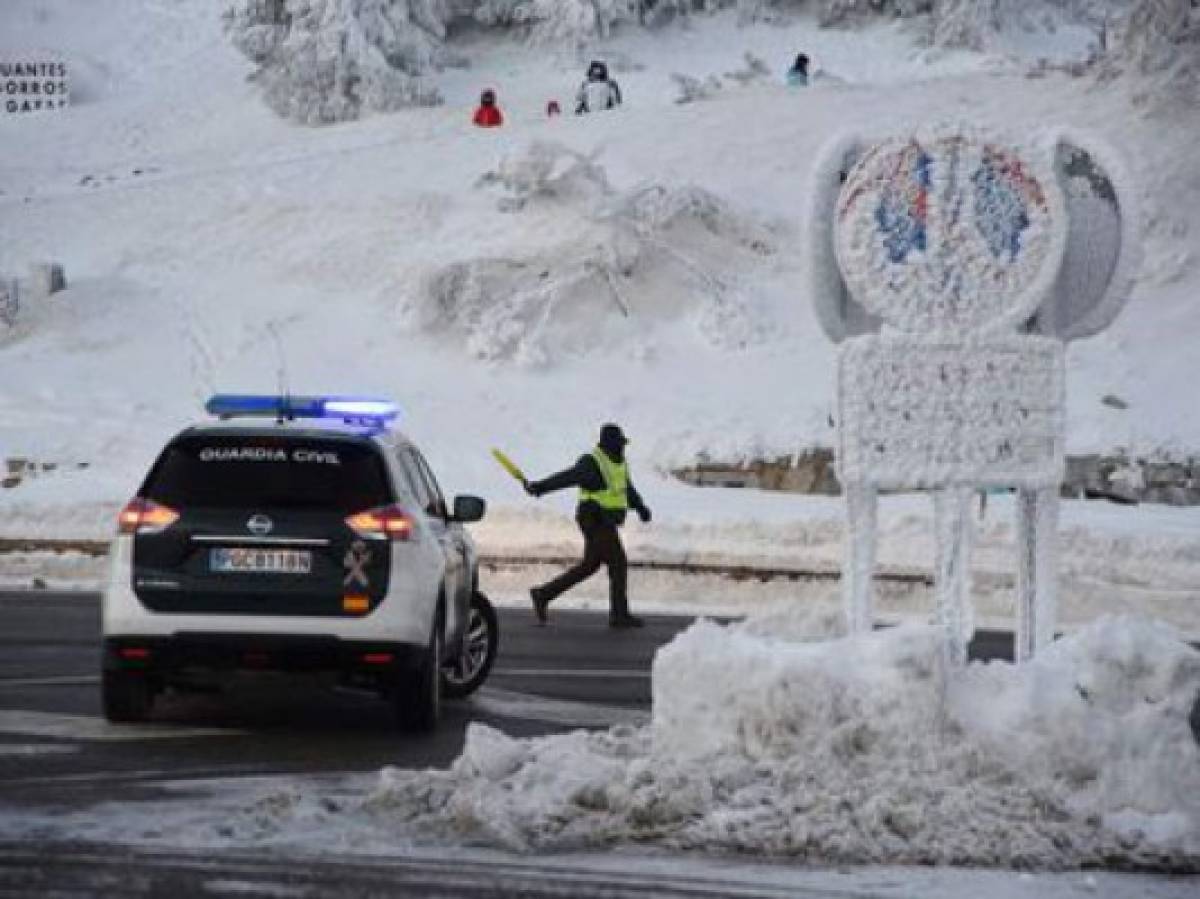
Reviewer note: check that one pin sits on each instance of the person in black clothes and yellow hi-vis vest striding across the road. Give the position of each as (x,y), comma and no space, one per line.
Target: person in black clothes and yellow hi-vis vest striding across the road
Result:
(607,495)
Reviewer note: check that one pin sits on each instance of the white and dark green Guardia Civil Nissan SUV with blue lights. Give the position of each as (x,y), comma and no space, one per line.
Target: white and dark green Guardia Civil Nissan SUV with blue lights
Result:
(296,535)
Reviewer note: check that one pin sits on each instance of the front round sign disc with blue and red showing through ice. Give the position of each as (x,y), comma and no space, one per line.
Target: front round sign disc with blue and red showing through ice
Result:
(949,235)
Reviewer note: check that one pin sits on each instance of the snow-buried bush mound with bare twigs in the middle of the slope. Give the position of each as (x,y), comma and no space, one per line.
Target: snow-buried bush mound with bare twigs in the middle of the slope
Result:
(627,263)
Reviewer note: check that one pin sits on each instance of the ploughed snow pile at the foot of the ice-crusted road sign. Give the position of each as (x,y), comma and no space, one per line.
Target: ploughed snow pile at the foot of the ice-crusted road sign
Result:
(772,739)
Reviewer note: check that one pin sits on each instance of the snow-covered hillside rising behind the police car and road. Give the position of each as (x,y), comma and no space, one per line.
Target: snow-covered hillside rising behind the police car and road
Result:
(658,280)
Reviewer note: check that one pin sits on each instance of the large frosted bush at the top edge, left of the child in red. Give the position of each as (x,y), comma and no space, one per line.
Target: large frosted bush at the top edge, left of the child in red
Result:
(332,61)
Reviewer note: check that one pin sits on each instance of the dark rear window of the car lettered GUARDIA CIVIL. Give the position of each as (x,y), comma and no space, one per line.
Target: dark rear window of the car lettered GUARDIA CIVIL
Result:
(269,472)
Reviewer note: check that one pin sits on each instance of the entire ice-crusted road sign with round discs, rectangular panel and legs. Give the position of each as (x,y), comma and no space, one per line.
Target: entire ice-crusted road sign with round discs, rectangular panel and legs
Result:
(955,267)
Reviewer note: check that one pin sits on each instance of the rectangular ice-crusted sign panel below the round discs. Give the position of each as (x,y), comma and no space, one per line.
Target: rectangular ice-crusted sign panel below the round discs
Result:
(925,415)
